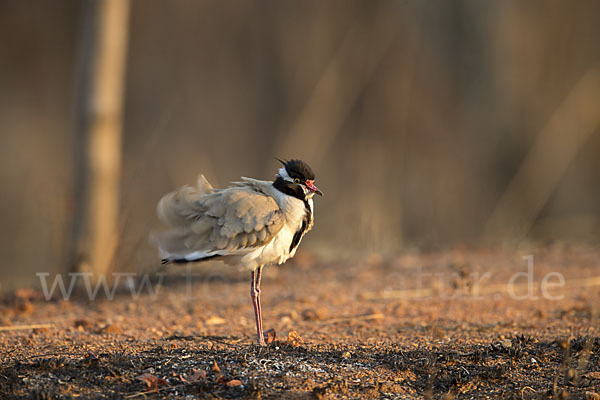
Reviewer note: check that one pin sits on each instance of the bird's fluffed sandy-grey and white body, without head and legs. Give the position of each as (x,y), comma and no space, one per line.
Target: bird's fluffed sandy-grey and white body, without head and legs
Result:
(243,224)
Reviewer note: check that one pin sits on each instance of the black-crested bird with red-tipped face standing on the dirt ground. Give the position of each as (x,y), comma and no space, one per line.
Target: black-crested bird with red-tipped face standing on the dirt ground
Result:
(252,223)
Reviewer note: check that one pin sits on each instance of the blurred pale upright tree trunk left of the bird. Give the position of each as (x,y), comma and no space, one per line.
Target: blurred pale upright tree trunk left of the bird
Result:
(99,113)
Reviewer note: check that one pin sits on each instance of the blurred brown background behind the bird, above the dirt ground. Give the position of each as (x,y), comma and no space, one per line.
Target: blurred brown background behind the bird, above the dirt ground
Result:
(428,123)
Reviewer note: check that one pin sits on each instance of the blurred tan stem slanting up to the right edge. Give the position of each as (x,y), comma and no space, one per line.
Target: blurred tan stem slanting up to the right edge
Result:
(568,129)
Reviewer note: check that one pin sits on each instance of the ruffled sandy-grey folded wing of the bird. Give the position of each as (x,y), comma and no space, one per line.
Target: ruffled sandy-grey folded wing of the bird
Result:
(227,221)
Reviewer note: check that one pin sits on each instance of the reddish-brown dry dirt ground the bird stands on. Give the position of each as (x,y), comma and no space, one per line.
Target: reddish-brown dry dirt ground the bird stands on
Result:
(443,324)
